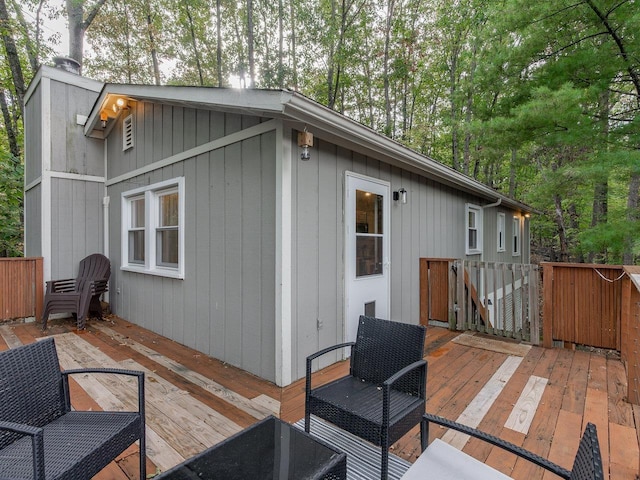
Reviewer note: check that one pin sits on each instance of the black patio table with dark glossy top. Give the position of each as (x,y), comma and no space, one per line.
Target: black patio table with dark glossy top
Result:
(269,449)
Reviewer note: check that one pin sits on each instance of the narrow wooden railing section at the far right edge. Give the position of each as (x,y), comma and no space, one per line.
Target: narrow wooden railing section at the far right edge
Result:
(630,326)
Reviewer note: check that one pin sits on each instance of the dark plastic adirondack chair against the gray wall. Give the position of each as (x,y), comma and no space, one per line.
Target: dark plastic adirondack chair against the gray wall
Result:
(80,295)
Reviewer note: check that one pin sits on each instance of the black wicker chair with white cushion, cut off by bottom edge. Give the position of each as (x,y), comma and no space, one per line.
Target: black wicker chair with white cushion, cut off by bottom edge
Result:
(586,466)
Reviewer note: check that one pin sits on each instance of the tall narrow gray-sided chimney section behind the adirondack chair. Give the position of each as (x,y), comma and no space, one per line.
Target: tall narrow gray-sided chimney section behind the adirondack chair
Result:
(63,211)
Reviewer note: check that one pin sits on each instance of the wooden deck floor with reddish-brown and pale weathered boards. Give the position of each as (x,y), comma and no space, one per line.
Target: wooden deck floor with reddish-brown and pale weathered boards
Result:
(535,397)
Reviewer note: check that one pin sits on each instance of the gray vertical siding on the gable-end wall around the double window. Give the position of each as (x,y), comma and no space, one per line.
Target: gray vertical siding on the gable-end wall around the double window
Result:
(225,305)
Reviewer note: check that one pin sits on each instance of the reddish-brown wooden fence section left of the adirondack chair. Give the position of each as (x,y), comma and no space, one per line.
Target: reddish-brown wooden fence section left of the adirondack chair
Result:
(21,288)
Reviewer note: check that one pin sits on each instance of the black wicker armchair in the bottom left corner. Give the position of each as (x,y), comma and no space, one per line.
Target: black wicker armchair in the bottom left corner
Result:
(41,437)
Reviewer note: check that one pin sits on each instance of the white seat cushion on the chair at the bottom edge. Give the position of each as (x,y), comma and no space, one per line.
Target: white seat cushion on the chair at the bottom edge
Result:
(441,461)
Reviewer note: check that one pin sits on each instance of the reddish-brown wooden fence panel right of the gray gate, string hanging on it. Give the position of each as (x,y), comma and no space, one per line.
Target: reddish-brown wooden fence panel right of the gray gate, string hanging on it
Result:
(582,304)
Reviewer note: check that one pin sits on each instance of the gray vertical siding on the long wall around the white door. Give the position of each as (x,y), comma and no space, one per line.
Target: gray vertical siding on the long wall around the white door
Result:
(430,224)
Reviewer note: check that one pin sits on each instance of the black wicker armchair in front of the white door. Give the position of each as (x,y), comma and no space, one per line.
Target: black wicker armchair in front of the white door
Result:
(383,397)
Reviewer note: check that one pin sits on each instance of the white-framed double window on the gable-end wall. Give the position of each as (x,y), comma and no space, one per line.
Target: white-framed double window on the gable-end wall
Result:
(153,229)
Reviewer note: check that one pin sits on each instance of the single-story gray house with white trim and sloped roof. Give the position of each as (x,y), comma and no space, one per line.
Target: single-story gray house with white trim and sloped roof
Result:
(254,226)
